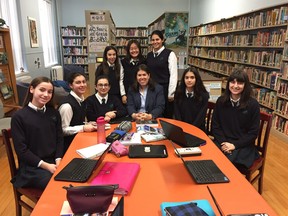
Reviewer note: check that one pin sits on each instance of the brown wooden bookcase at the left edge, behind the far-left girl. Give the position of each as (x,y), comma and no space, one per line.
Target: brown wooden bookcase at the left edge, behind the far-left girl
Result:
(8,90)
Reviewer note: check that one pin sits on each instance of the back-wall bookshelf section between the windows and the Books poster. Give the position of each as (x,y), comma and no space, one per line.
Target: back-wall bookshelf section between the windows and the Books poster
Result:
(74,46)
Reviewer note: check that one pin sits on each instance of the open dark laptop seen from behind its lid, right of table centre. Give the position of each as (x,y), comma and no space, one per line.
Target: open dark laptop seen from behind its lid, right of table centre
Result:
(177,135)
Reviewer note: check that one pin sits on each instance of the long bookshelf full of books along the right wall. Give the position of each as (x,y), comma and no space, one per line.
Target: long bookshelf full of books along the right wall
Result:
(256,41)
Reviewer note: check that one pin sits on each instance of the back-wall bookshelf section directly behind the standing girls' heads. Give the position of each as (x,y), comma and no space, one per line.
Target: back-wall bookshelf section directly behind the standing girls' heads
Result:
(124,34)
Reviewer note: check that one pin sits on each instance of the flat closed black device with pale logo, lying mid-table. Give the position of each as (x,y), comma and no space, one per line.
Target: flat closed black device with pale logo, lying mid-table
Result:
(147,151)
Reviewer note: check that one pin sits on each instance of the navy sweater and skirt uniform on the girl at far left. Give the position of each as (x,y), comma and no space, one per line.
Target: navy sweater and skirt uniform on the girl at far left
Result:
(37,137)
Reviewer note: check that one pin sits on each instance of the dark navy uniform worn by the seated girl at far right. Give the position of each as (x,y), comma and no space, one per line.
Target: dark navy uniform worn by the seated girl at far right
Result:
(239,126)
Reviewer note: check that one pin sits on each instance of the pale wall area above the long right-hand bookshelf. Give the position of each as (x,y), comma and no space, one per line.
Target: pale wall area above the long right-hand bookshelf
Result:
(205,11)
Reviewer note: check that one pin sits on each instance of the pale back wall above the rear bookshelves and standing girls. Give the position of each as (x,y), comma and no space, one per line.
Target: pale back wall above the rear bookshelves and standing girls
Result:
(130,13)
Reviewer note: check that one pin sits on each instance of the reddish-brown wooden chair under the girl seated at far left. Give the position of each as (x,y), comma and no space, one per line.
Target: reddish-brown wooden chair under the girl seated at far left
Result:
(31,193)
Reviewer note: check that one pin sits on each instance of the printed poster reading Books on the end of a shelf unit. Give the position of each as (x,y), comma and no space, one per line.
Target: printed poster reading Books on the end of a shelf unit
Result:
(98,36)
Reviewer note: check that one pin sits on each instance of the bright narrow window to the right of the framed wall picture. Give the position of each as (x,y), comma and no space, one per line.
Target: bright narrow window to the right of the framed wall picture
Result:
(47,33)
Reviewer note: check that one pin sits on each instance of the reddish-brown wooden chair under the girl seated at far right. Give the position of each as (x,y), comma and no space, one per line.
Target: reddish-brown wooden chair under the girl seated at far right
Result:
(261,144)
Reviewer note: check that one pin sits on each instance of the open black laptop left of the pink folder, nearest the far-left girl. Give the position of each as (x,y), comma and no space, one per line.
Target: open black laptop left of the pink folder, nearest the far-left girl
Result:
(80,169)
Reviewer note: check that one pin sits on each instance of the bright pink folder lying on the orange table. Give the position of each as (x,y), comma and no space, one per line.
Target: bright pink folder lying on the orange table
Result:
(122,173)
